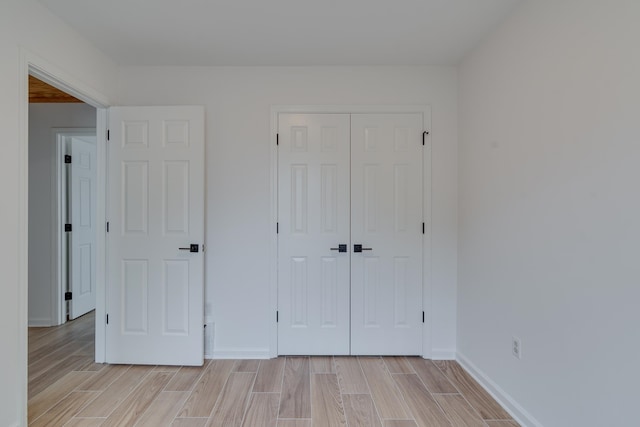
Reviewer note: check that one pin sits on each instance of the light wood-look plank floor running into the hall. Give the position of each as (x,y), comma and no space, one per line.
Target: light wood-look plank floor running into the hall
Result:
(67,389)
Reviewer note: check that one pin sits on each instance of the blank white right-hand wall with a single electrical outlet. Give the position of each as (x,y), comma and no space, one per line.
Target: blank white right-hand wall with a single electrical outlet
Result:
(549,210)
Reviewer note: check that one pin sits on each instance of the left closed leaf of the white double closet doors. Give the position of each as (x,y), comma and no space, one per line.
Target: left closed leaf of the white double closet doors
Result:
(313,187)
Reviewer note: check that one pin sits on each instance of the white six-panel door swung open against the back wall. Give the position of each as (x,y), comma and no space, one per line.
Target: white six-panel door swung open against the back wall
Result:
(156,215)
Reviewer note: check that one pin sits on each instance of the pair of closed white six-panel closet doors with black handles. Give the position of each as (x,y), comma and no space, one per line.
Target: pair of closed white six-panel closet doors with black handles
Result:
(350,219)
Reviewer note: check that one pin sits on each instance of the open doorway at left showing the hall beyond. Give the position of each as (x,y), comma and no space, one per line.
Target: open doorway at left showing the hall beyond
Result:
(61,260)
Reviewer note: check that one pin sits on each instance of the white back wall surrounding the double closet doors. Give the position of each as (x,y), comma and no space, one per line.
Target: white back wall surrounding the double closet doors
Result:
(237,102)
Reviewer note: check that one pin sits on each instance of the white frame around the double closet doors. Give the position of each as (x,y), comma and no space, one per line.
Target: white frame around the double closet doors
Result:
(425,110)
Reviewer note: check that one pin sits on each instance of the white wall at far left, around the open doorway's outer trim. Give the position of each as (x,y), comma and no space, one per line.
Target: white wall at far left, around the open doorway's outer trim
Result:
(26,24)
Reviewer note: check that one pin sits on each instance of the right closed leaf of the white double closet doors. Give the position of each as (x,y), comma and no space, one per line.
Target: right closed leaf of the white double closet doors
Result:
(386,219)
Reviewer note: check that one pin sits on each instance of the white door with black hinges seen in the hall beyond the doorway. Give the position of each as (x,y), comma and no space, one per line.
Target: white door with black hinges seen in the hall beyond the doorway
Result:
(83,234)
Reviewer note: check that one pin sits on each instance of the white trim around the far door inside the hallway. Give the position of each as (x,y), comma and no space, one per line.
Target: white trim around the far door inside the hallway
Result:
(59,192)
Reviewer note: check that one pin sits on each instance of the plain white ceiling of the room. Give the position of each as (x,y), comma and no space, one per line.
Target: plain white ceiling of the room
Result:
(283,32)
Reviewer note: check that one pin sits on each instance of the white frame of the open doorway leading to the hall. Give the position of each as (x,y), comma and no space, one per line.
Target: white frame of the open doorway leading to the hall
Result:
(33,64)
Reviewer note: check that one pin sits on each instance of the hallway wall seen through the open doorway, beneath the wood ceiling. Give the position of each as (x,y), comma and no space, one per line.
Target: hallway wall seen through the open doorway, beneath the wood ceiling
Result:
(42,148)
